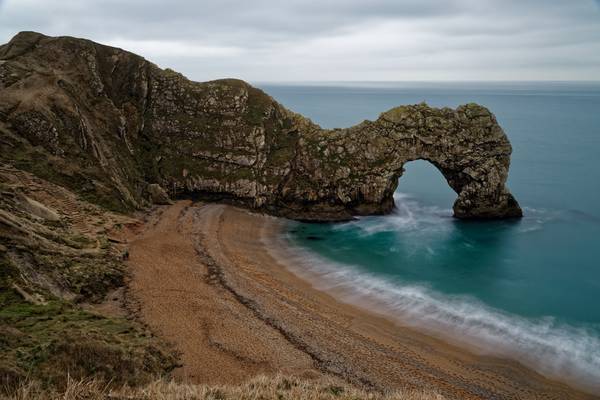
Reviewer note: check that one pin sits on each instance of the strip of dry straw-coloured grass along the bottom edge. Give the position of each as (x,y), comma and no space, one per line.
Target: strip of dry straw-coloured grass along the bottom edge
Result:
(260,388)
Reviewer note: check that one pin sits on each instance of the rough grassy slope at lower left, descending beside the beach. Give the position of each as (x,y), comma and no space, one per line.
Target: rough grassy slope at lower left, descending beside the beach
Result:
(48,269)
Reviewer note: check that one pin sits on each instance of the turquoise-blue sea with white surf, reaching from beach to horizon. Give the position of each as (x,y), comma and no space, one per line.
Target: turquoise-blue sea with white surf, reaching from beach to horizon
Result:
(529,288)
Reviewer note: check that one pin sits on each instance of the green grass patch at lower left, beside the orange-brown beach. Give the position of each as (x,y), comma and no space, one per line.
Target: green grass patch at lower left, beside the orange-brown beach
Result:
(52,340)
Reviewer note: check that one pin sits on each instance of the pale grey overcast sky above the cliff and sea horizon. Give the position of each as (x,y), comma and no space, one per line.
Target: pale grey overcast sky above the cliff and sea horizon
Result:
(324,40)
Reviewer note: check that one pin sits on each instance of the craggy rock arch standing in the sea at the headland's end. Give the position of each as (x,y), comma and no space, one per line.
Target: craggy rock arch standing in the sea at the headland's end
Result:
(356,170)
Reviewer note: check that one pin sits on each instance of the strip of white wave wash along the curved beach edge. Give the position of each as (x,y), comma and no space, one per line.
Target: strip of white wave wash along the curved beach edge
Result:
(469,325)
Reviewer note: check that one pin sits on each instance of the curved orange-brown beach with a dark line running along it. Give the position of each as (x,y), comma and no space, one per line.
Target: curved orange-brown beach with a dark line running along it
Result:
(204,278)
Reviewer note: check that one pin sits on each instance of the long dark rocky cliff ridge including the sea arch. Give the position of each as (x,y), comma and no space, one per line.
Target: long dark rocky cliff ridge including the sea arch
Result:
(108,123)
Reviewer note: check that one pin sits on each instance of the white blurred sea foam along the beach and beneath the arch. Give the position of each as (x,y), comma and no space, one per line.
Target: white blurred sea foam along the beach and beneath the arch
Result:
(555,349)
